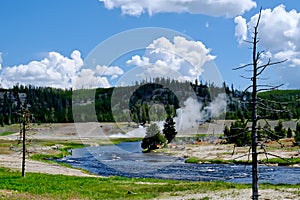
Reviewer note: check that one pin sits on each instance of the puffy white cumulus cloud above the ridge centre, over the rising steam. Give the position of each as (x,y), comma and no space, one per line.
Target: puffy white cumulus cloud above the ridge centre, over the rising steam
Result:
(181,59)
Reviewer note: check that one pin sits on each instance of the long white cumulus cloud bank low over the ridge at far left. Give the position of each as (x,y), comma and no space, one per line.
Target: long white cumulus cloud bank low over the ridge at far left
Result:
(58,71)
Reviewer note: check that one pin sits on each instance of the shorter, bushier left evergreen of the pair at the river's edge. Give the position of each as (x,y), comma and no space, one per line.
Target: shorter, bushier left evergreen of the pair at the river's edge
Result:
(153,138)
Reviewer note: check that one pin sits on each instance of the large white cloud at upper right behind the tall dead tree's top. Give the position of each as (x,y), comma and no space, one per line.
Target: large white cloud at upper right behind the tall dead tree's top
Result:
(279,34)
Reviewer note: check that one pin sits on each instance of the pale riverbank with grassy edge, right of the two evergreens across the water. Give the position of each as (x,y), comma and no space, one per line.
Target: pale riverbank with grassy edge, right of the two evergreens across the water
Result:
(215,152)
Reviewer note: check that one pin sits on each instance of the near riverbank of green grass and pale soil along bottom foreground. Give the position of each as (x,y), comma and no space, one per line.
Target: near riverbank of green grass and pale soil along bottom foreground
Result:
(43,186)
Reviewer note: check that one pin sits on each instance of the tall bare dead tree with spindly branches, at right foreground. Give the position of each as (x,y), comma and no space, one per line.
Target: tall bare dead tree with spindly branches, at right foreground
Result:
(257,69)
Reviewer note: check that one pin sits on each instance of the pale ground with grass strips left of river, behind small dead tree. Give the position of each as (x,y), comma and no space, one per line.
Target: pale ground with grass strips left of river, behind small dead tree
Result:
(52,141)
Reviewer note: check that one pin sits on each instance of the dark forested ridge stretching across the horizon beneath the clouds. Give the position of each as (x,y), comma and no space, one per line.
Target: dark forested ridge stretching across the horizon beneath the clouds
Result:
(51,105)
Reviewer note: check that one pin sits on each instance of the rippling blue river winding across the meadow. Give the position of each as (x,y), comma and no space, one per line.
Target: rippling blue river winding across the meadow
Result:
(126,159)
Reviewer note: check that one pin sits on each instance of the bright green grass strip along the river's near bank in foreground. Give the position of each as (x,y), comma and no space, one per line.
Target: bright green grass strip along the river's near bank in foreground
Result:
(70,187)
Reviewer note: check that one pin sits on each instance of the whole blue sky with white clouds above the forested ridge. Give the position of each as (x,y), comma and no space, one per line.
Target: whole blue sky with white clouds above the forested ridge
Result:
(60,43)
